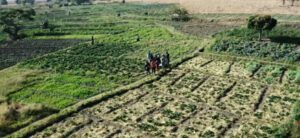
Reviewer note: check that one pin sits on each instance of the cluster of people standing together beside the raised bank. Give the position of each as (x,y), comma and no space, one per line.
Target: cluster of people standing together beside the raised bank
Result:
(155,62)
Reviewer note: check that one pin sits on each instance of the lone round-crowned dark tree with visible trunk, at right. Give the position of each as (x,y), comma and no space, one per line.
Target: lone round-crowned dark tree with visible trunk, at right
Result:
(261,23)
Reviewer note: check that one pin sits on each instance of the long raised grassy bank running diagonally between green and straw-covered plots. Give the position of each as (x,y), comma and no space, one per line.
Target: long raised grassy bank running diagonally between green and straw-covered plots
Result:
(45,122)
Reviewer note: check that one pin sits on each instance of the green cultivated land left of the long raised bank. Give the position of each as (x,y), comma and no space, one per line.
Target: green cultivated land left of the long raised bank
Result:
(60,68)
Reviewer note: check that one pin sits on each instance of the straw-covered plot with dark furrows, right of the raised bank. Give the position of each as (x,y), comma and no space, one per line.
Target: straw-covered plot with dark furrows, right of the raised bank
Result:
(203,97)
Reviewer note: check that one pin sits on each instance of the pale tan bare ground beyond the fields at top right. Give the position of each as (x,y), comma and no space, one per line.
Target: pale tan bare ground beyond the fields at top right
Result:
(235,6)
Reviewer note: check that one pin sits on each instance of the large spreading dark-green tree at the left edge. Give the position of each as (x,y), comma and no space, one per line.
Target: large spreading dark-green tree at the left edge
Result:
(11,21)
